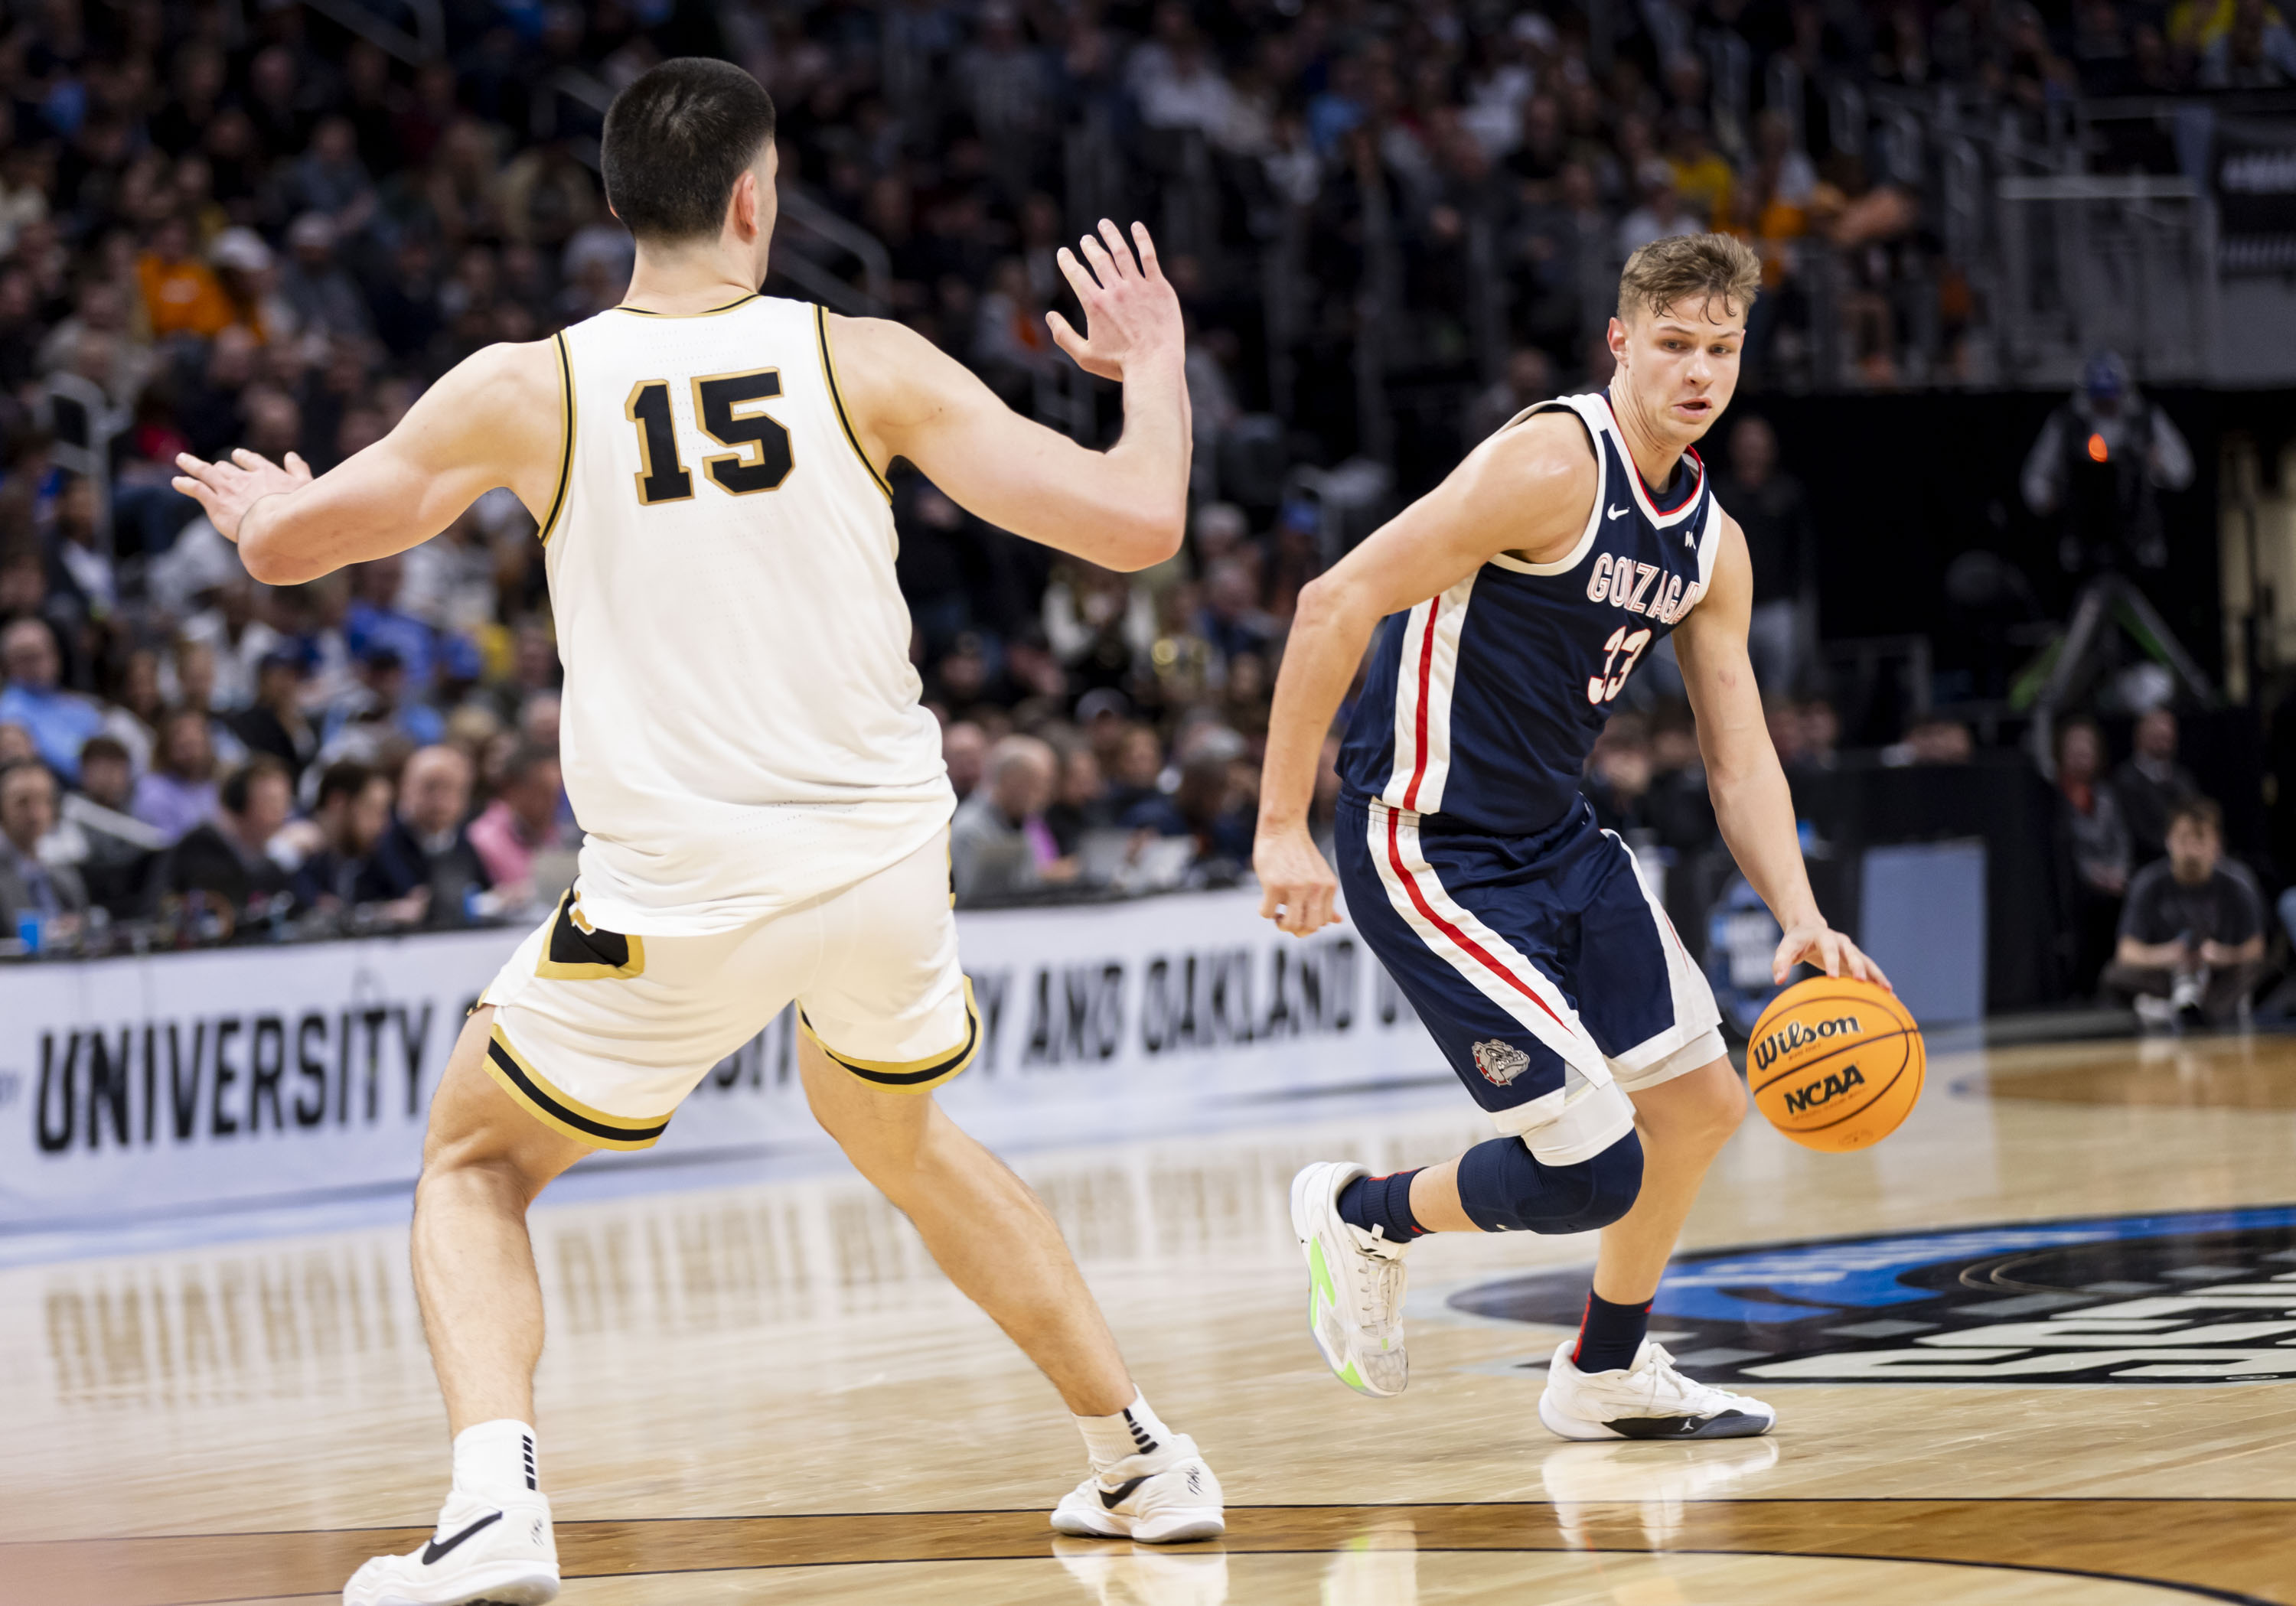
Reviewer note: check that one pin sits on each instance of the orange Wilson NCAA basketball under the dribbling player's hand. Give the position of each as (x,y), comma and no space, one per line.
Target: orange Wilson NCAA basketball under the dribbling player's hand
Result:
(1836,1063)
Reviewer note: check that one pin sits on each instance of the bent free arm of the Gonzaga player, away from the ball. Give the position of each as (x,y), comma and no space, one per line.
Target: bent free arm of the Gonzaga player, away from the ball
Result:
(1528,490)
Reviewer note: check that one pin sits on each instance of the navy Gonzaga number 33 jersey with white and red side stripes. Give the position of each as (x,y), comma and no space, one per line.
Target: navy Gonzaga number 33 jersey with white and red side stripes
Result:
(1484,703)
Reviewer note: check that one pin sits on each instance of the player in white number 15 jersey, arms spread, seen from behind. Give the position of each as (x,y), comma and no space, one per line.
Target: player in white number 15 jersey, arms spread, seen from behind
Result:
(763,797)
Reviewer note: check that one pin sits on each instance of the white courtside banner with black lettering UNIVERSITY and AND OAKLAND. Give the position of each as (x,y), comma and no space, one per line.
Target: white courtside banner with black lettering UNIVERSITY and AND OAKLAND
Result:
(265,1075)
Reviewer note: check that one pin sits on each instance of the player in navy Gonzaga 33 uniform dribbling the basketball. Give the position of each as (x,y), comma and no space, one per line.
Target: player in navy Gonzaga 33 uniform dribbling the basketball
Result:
(1512,605)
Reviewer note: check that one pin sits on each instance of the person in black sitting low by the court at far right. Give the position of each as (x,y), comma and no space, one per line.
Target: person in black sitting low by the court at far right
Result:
(2192,942)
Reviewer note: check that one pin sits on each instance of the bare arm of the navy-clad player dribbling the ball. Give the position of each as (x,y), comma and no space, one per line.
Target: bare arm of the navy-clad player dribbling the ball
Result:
(1753,802)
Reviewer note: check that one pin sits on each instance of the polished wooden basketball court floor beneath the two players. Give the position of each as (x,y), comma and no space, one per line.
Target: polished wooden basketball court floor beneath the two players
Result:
(766,1394)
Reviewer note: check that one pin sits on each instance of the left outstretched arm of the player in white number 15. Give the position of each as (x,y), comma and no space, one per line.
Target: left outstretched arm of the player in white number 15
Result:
(497,419)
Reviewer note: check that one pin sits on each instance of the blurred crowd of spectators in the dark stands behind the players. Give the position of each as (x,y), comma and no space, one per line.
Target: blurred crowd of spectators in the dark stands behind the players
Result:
(270,226)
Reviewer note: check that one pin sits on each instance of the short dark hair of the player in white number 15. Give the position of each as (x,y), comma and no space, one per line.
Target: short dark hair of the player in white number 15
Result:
(678,141)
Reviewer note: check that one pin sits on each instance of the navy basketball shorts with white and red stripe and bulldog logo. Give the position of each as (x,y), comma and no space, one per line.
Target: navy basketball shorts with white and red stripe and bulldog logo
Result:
(1542,967)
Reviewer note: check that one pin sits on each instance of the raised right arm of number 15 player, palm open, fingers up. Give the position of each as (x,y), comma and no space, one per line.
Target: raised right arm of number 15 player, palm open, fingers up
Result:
(1124,508)
